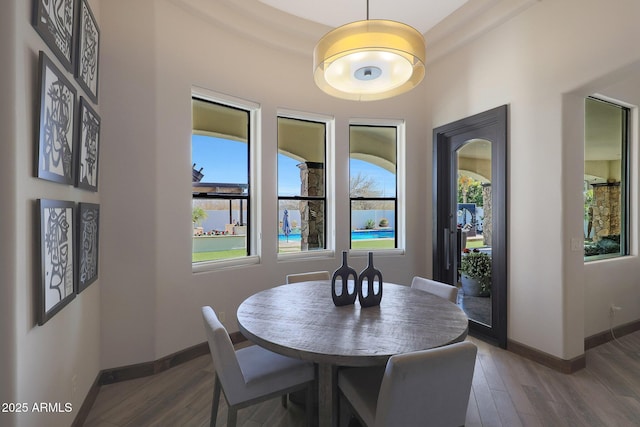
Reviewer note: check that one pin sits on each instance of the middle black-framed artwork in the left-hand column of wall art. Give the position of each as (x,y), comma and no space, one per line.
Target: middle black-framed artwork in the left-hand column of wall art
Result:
(56,124)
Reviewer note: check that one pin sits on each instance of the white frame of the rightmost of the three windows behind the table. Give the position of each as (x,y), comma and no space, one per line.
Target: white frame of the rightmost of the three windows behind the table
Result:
(400,198)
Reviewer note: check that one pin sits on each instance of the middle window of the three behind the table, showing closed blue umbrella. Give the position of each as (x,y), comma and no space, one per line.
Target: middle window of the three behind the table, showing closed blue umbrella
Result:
(302,201)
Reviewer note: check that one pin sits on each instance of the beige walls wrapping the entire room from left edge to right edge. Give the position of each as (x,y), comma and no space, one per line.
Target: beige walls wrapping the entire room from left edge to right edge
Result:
(146,302)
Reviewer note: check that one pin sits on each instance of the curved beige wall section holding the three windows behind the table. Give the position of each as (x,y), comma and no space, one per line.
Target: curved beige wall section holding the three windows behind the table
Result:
(152,57)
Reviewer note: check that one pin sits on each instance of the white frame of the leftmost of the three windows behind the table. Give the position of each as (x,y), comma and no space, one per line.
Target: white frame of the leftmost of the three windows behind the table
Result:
(253,198)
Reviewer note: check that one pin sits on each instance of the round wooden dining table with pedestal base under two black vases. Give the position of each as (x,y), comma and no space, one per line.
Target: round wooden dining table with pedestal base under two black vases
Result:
(300,320)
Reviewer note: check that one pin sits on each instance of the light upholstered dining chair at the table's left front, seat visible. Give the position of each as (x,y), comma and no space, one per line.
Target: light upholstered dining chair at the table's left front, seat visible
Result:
(251,374)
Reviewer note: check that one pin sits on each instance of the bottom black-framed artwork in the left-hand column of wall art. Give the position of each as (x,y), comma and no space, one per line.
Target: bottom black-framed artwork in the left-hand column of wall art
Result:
(56,257)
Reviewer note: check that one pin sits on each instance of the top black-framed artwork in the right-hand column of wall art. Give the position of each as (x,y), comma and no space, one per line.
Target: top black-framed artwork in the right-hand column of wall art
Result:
(87,56)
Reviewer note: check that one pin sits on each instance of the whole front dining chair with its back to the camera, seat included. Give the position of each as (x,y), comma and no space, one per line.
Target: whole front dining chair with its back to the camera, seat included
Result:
(428,387)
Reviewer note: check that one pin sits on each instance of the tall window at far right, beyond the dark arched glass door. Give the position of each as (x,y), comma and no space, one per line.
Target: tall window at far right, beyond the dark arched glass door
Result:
(606,172)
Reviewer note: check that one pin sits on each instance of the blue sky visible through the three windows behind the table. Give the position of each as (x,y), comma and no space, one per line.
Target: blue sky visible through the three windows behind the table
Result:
(225,161)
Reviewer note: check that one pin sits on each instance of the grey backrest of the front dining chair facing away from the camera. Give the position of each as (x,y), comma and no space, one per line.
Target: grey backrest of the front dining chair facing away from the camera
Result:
(431,385)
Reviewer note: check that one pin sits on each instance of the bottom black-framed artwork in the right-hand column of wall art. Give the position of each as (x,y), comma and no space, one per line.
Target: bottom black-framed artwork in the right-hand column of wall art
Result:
(88,226)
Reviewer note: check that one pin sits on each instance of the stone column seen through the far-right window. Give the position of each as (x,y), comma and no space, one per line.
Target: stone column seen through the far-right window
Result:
(606,210)
